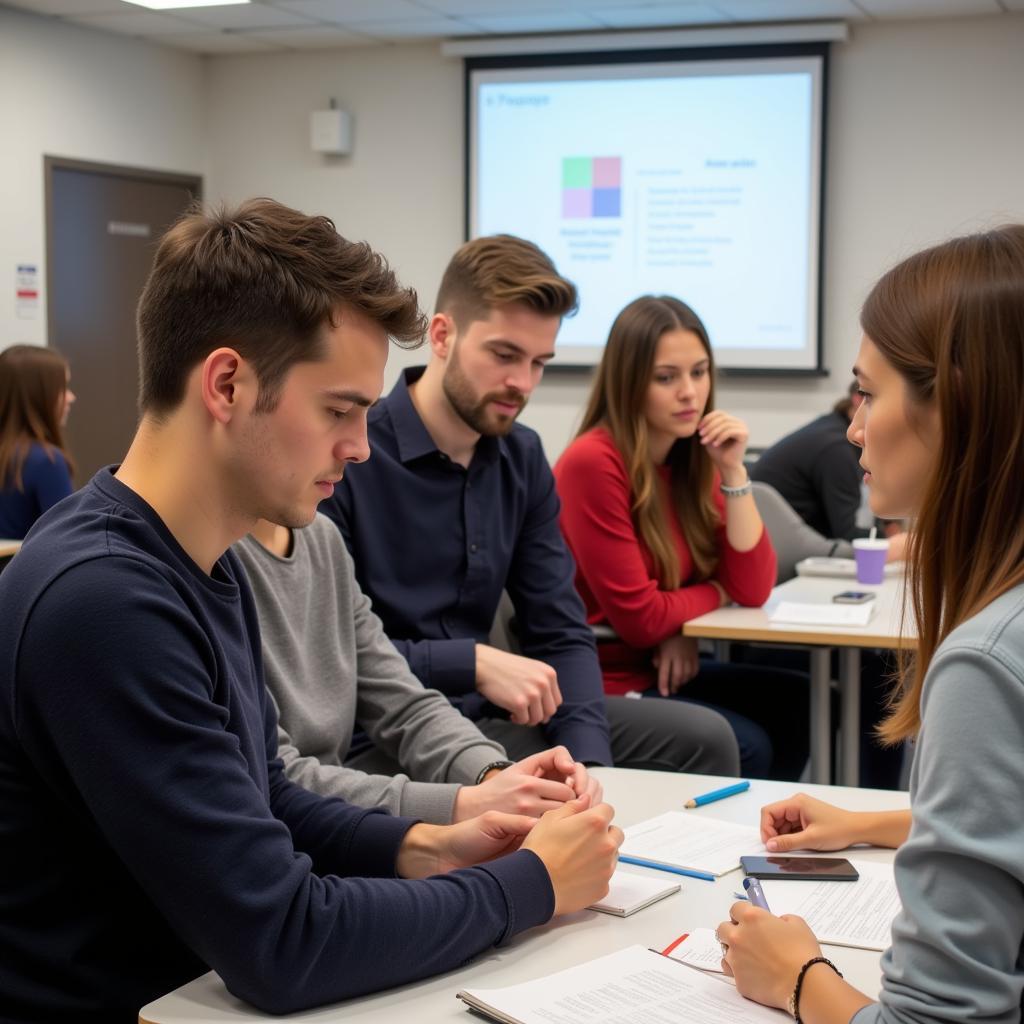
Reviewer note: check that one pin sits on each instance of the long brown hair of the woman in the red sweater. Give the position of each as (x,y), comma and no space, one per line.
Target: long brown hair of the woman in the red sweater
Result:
(618,402)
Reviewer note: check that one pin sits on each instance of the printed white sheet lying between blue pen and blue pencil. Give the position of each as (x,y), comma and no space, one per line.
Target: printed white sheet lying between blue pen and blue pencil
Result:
(678,839)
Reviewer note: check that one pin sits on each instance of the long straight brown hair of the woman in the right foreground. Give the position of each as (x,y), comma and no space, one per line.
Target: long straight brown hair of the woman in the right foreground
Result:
(951,321)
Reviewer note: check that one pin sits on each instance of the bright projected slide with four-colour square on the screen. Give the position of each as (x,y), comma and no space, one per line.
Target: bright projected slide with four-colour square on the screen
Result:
(701,185)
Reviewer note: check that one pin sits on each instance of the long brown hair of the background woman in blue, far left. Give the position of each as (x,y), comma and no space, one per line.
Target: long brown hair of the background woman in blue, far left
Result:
(33,381)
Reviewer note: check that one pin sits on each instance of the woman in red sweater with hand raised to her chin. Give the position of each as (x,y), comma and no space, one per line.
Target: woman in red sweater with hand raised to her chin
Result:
(658,513)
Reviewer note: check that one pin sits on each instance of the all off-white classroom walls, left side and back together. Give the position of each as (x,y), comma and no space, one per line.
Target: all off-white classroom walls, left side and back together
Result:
(923,143)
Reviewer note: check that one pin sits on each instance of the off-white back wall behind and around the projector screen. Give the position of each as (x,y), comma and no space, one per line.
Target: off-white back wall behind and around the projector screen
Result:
(924,142)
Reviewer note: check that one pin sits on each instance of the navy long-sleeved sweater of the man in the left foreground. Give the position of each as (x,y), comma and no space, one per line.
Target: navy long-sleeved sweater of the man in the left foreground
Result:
(147,829)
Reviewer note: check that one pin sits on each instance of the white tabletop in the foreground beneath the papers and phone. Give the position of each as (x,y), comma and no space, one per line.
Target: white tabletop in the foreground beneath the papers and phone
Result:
(573,941)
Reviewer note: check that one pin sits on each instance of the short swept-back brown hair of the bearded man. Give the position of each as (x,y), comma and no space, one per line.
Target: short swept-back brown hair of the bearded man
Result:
(498,271)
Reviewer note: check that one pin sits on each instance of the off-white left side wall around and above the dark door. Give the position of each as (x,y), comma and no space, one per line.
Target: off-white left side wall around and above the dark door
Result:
(74,93)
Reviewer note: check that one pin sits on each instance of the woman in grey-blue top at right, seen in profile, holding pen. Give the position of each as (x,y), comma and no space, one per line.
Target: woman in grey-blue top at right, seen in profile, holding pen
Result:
(942,367)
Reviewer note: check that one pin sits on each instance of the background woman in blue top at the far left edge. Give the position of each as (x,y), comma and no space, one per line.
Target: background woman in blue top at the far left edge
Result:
(35,466)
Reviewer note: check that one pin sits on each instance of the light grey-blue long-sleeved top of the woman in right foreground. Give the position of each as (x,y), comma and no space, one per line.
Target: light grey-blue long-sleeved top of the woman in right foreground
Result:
(958,951)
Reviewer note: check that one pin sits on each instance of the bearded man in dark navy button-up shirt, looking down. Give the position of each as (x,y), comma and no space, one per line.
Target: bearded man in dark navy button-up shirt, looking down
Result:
(458,504)
